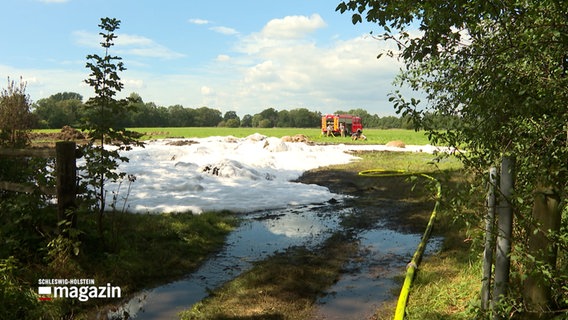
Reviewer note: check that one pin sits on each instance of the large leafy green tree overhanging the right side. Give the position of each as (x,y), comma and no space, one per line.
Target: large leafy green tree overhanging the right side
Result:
(502,67)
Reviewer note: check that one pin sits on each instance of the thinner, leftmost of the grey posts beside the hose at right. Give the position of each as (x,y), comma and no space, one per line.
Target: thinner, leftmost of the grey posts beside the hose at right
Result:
(489,240)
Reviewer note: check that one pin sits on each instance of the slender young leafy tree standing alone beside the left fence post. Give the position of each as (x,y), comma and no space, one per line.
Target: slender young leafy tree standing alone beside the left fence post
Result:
(104,112)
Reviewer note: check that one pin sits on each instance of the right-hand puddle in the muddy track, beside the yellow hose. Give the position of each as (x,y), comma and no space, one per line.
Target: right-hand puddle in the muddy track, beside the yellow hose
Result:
(369,279)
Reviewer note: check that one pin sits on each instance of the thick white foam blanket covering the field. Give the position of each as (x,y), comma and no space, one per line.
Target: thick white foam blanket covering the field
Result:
(228,173)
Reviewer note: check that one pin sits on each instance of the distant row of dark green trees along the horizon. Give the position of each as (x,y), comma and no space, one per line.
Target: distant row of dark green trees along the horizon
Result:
(67,108)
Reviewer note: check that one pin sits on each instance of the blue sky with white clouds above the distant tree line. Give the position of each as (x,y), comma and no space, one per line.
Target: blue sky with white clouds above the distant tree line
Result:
(242,56)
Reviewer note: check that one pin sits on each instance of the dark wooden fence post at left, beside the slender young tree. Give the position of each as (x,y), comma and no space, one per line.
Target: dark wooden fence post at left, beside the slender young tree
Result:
(66,176)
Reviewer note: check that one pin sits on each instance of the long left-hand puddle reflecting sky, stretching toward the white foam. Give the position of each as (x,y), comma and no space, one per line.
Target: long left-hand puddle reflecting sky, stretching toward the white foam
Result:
(260,235)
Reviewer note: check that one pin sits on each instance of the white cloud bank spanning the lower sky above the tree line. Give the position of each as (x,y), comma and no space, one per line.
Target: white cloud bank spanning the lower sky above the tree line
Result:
(278,66)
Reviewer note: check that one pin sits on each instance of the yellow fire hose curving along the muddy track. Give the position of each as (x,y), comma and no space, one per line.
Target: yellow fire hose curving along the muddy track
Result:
(413,265)
